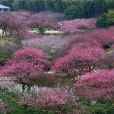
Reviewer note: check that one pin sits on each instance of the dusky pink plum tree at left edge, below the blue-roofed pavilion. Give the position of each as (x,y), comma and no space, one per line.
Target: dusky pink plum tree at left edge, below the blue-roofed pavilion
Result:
(10,24)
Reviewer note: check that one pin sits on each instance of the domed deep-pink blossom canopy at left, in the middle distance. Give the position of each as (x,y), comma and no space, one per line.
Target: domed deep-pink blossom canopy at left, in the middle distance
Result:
(26,64)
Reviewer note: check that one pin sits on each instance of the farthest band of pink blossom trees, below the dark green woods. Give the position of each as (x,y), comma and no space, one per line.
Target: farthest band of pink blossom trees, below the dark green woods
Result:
(22,22)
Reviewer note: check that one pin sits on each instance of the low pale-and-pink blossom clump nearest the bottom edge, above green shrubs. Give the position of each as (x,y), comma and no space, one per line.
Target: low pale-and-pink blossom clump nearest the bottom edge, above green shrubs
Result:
(46,98)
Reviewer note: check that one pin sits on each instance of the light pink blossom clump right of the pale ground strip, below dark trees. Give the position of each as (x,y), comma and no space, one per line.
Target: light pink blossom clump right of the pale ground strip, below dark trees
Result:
(78,25)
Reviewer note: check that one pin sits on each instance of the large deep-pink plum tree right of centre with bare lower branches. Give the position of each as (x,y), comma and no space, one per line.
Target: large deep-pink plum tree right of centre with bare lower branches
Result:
(80,58)
